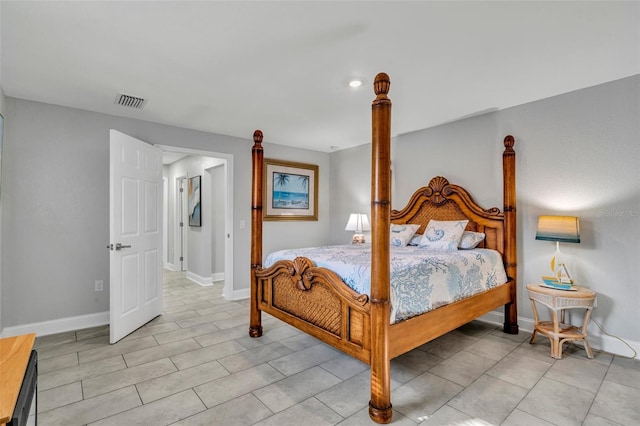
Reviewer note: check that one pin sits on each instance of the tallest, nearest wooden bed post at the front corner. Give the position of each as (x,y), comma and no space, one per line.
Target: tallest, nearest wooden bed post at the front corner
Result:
(380,409)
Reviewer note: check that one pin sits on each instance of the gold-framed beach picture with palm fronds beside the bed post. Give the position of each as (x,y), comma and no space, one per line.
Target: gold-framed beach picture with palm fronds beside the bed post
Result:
(291,190)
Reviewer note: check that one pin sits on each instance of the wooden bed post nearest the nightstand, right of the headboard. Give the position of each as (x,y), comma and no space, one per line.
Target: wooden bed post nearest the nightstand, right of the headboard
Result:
(510,249)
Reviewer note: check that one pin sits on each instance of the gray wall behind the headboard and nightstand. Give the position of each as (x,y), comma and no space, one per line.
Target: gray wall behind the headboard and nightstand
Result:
(577,154)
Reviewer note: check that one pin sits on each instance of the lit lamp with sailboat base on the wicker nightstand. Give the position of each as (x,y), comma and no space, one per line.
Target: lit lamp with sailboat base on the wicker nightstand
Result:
(565,229)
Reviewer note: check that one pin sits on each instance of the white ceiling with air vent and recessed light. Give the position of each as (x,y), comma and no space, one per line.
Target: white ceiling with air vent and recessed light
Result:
(283,67)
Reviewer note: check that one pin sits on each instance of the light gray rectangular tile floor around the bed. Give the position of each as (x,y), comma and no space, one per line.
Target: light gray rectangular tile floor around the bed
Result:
(196,365)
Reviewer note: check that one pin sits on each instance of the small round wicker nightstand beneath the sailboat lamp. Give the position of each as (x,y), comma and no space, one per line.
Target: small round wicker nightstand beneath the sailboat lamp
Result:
(559,301)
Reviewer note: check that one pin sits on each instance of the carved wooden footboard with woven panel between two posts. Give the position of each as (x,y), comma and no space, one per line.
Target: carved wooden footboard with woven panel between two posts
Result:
(316,301)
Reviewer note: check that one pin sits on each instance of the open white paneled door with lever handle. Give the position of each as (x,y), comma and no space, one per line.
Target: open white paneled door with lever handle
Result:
(135,234)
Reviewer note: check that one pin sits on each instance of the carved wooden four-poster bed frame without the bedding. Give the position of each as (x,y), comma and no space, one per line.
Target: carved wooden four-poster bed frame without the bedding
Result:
(316,301)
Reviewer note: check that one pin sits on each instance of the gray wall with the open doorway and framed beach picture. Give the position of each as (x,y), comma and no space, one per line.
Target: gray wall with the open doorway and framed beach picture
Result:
(55,193)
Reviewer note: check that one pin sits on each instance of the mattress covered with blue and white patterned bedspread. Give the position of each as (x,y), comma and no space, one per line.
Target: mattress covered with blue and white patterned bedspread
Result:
(421,279)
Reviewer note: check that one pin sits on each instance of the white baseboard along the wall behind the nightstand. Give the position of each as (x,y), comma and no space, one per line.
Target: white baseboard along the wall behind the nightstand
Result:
(597,340)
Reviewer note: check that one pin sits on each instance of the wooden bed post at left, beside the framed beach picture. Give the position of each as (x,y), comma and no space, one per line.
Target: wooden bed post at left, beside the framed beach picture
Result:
(257,156)
